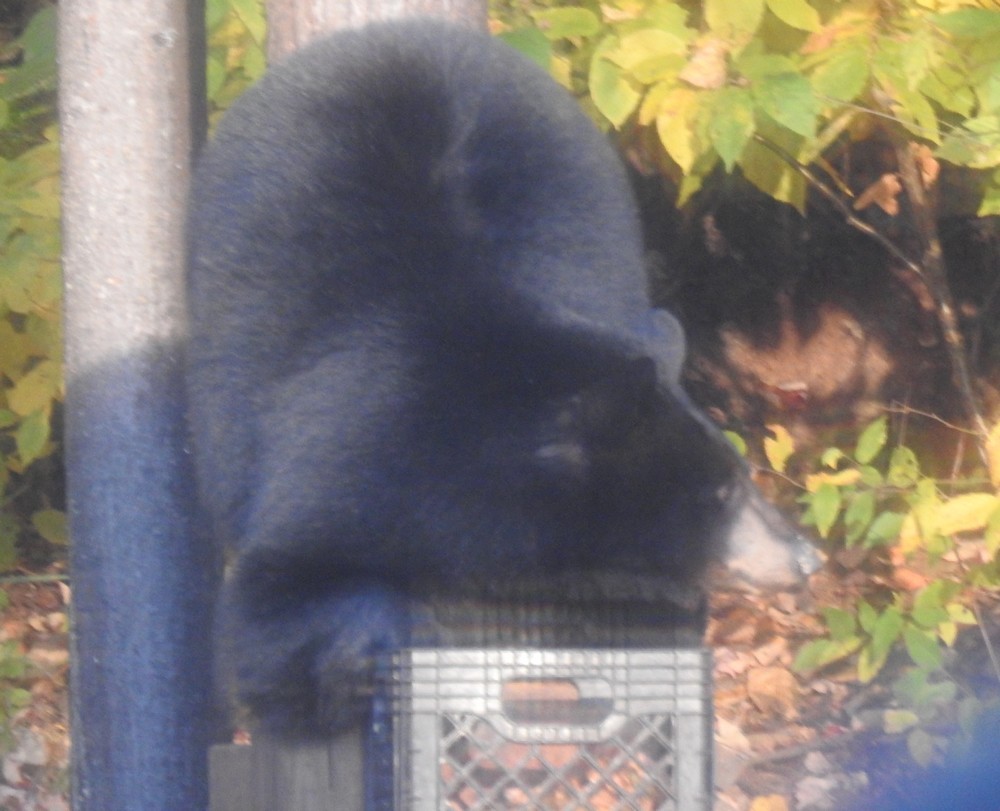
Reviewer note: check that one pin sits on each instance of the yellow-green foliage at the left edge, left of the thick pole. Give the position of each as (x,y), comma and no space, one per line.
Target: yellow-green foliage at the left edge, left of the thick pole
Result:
(30,289)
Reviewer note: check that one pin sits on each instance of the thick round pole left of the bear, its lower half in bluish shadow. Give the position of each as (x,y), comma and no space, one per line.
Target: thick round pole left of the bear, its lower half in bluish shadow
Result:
(142,577)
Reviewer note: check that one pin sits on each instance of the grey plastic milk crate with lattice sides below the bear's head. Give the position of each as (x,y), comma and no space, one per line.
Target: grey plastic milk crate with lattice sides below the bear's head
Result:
(518,728)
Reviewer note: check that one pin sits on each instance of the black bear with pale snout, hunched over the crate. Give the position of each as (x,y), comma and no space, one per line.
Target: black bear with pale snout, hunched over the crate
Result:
(422,355)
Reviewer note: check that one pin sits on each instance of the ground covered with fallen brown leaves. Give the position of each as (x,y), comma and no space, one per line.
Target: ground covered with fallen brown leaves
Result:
(784,742)
